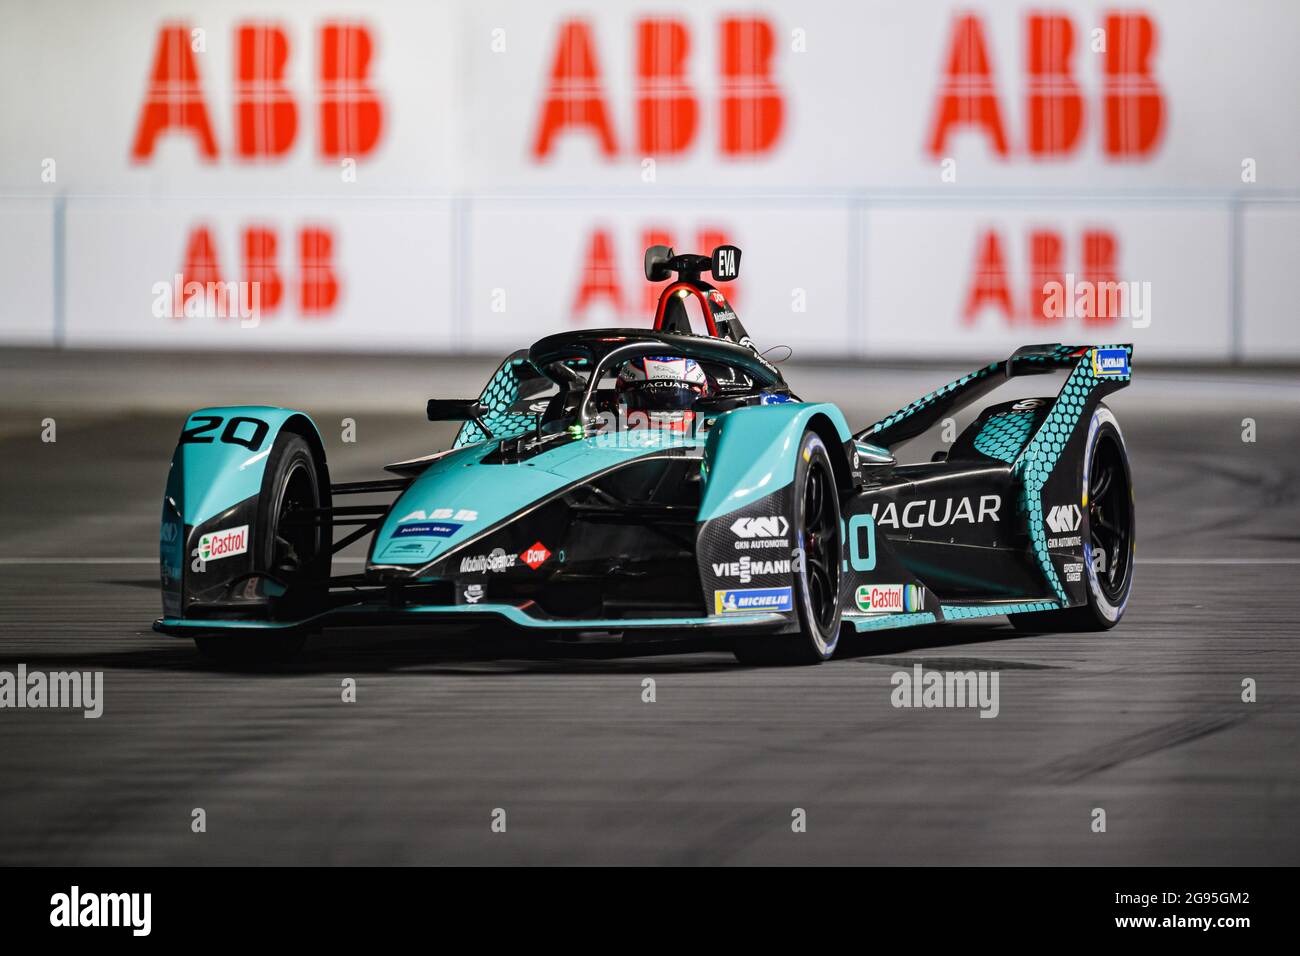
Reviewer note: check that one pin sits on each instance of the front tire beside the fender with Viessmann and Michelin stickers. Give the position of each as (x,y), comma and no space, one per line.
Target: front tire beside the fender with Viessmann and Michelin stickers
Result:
(816,521)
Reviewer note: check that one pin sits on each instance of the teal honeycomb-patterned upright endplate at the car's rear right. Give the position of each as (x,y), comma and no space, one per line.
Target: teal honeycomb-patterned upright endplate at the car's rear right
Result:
(1041,456)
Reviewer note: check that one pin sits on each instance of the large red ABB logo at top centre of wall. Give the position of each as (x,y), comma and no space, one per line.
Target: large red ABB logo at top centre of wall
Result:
(751,107)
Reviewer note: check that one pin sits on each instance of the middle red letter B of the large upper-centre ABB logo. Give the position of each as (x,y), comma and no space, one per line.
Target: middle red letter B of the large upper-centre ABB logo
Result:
(666,109)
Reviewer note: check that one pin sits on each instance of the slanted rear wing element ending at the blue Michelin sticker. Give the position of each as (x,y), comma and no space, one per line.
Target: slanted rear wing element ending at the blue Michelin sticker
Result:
(1104,362)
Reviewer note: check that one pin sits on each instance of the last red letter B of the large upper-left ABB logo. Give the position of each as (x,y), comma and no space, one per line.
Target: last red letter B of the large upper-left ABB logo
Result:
(352,115)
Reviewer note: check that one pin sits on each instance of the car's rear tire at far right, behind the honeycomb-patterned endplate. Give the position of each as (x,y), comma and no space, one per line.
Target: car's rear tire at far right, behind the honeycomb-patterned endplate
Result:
(1112,537)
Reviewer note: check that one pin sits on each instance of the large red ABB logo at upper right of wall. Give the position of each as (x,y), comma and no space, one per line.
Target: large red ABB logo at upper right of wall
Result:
(1132,106)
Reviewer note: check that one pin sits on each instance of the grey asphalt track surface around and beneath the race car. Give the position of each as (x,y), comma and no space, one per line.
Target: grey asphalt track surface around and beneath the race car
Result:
(1146,723)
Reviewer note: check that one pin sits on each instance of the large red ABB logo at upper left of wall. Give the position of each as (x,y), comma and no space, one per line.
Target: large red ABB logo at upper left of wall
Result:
(349,116)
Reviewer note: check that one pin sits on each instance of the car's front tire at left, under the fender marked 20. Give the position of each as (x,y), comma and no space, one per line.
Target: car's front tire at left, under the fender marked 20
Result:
(292,551)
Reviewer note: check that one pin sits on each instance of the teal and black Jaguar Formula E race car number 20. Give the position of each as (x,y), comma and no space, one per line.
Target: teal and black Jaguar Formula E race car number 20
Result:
(660,483)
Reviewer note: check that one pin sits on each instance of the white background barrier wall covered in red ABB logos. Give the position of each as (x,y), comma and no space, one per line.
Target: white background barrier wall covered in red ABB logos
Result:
(905,179)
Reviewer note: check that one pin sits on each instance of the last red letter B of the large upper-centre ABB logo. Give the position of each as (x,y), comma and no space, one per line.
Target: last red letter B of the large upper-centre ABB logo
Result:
(752,106)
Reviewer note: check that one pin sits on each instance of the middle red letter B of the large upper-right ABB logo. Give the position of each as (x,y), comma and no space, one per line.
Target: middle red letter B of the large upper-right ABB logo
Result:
(1055,102)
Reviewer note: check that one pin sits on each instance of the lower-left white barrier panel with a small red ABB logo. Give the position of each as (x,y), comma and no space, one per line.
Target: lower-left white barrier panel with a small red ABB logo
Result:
(366,275)
